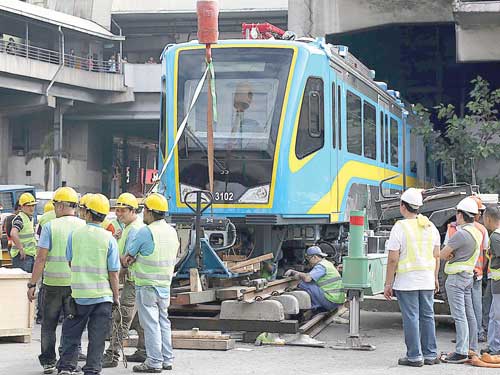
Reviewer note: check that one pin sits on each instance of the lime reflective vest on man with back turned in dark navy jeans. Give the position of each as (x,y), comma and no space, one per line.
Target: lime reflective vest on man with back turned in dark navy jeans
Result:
(89,276)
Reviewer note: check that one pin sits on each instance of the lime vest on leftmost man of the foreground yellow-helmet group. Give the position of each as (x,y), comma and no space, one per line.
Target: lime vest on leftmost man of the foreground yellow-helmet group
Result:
(57,271)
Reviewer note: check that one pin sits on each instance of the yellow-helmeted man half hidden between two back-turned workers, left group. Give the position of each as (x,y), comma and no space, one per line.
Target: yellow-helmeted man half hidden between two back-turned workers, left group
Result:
(126,212)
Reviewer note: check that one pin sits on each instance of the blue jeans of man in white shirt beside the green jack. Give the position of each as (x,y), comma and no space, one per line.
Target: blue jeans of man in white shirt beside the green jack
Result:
(417,310)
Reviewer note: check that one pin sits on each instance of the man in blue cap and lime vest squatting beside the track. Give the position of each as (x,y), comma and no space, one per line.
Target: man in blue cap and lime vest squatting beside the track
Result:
(323,283)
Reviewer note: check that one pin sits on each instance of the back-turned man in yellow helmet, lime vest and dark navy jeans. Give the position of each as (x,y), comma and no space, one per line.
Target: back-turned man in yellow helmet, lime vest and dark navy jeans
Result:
(94,261)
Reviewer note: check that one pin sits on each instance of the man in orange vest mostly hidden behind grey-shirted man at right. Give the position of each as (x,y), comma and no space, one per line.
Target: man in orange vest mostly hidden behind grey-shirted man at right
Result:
(477,286)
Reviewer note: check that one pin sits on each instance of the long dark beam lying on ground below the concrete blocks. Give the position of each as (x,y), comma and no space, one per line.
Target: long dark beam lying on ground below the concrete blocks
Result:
(215,324)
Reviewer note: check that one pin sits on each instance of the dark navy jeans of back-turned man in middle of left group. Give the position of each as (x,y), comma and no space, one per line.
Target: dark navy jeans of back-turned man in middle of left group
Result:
(97,318)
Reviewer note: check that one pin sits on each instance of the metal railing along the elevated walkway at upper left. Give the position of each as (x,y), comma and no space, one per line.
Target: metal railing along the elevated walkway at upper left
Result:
(54,57)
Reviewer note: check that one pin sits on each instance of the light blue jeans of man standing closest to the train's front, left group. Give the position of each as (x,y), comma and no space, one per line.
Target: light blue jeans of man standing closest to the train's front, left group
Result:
(153,316)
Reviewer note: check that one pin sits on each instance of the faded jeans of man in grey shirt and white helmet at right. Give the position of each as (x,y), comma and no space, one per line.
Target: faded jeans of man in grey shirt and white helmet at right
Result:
(459,292)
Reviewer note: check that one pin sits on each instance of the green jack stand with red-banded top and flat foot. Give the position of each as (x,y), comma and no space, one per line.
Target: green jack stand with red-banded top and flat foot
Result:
(362,274)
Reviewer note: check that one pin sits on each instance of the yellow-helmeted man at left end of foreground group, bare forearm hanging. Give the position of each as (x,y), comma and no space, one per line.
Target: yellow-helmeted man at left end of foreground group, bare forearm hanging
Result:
(51,261)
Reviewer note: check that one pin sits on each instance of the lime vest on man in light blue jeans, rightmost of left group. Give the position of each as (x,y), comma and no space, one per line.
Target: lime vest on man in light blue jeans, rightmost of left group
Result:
(157,268)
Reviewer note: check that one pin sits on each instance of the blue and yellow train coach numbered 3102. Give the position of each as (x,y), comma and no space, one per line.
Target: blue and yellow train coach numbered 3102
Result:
(303,135)
